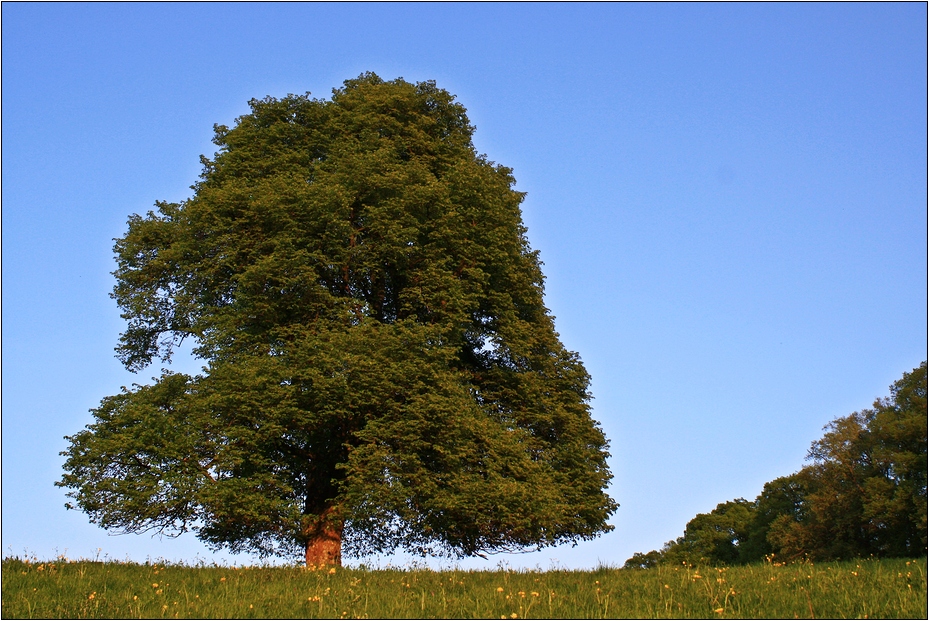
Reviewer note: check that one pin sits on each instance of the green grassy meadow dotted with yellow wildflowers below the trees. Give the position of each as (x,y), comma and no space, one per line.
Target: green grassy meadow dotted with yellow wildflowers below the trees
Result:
(88,589)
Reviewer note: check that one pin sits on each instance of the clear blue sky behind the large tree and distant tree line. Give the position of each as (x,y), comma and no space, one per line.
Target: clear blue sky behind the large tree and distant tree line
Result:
(730,202)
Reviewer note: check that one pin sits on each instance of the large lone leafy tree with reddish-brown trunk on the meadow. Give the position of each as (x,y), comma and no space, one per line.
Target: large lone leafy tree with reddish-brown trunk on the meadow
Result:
(381,371)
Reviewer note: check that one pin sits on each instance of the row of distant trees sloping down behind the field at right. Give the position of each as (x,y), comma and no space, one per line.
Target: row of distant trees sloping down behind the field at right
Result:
(863,494)
